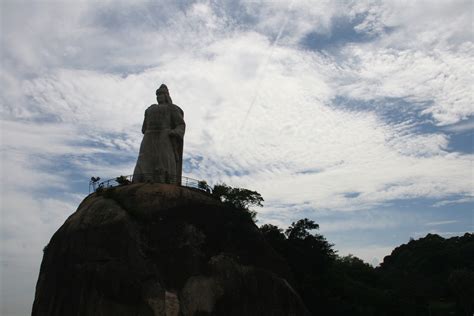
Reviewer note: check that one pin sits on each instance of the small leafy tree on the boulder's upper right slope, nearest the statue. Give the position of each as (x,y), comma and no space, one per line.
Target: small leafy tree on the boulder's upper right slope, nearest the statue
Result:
(238,198)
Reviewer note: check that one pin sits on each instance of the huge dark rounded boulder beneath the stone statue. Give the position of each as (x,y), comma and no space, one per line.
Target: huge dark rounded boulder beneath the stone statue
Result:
(157,249)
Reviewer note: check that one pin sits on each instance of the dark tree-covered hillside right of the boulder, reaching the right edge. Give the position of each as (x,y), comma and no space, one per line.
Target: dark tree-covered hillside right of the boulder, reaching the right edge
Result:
(428,276)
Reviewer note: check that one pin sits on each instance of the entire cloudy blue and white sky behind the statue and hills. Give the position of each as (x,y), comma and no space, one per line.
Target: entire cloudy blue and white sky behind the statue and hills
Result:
(356,114)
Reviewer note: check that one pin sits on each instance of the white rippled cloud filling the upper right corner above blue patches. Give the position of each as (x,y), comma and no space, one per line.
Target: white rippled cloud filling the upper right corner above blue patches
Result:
(423,58)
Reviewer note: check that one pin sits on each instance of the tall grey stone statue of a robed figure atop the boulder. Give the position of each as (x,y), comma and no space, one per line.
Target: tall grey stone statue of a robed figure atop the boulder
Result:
(161,151)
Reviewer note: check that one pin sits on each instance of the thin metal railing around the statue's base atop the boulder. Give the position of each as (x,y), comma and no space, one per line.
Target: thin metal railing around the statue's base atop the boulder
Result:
(157,177)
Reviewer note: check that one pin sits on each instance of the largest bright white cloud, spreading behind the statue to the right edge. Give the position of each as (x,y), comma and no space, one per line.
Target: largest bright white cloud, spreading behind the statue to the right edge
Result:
(291,127)
